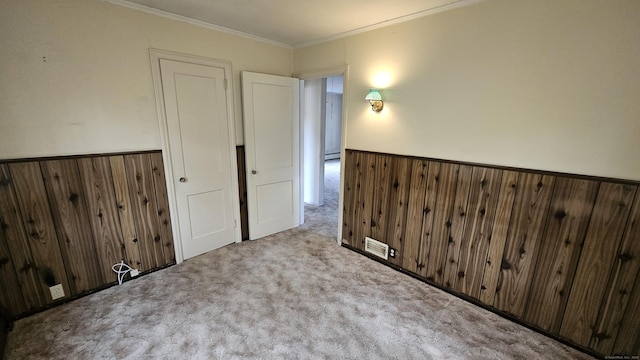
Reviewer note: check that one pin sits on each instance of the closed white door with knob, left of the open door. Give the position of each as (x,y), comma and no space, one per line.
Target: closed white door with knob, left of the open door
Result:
(197,130)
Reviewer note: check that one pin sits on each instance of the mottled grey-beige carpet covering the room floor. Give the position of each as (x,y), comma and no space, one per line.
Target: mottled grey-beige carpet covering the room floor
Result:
(292,295)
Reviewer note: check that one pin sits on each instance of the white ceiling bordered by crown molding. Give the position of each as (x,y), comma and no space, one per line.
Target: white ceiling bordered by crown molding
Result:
(294,23)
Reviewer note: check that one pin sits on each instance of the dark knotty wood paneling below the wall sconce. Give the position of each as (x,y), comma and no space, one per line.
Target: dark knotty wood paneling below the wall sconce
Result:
(558,252)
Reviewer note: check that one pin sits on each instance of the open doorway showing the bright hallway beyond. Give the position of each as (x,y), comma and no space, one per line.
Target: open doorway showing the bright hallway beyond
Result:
(322,112)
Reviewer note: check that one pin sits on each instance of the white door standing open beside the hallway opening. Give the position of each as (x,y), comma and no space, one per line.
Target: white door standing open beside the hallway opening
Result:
(272,144)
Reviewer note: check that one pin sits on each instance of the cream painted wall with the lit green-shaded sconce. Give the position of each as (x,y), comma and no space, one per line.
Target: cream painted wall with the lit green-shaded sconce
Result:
(541,84)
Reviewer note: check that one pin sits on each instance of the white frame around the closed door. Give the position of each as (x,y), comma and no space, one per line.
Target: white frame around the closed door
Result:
(155,56)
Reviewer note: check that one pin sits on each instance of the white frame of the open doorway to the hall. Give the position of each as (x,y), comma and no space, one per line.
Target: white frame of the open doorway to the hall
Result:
(328,72)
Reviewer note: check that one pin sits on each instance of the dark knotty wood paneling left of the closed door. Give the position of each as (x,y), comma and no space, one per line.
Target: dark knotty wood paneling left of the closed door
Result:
(68,220)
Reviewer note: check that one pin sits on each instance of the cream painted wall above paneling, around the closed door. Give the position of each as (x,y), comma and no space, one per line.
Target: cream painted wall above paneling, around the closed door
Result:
(75,76)
